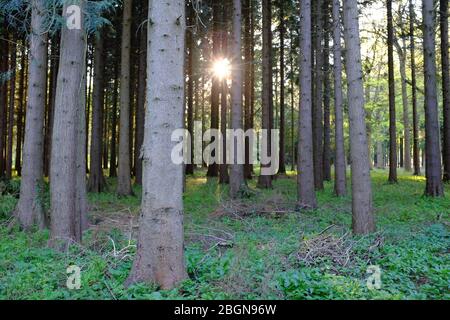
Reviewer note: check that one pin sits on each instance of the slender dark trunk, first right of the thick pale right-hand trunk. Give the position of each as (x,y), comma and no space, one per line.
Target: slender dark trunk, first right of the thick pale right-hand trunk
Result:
(392,115)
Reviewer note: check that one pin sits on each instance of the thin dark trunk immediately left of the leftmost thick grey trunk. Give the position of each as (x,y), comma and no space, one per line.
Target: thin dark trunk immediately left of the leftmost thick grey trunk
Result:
(20,110)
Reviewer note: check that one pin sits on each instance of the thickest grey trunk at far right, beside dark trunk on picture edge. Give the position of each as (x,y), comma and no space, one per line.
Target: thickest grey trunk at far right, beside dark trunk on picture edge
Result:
(434,186)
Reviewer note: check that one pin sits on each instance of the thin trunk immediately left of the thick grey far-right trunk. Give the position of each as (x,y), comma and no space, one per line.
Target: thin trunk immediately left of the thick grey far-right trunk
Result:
(416,150)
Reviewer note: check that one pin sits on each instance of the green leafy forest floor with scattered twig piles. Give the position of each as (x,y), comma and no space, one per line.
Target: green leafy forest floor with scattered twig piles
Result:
(258,248)
